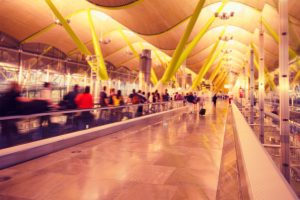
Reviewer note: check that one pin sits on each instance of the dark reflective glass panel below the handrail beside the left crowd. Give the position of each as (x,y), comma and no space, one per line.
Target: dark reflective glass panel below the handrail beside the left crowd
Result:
(22,129)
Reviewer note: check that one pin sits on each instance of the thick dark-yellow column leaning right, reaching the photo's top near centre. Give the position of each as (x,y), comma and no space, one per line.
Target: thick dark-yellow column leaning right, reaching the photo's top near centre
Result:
(171,67)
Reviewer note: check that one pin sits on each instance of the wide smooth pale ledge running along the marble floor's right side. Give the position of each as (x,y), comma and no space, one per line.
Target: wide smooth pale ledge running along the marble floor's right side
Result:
(258,166)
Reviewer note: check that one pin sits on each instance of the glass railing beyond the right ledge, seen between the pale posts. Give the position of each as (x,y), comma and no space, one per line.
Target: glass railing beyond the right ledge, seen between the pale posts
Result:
(272,136)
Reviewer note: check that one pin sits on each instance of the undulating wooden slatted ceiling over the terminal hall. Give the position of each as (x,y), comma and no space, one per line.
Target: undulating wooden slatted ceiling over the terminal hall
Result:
(155,24)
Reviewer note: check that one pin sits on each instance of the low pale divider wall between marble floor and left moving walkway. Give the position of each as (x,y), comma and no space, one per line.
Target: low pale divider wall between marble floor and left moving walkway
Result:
(21,153)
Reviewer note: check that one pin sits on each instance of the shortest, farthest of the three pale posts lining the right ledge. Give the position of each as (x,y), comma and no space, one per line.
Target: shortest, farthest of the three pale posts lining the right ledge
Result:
(252,86)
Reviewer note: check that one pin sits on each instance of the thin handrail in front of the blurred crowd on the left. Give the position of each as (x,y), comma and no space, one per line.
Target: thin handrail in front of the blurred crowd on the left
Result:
(82,110)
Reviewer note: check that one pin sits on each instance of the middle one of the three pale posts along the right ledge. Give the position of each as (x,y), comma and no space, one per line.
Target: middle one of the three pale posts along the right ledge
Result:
(261,86)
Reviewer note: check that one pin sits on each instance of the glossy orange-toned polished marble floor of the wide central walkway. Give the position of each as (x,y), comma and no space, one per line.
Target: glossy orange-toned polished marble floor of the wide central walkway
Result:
(178,158)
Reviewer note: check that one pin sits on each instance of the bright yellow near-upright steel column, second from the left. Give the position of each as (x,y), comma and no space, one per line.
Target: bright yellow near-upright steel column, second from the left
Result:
(101,67)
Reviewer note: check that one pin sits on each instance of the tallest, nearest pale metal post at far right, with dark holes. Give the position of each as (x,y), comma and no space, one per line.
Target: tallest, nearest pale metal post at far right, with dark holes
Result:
(284,88)
